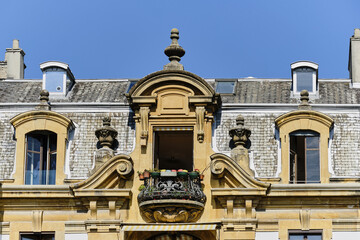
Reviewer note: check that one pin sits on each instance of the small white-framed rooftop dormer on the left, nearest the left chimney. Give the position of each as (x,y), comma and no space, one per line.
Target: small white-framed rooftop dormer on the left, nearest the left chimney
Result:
(57,78)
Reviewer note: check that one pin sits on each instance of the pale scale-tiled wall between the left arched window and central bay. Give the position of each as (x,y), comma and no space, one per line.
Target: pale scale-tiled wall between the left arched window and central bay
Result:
(83,145)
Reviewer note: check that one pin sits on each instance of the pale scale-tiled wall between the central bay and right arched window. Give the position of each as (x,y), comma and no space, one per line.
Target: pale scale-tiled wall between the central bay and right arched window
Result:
(264,146)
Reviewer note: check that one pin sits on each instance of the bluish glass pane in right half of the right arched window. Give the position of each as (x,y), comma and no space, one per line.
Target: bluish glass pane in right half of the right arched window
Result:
(312,166)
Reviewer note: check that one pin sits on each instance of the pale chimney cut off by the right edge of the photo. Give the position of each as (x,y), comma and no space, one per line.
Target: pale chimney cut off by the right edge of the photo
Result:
(354,59)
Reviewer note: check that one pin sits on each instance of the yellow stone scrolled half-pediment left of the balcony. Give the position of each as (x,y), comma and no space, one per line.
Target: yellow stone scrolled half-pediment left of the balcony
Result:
(111,179)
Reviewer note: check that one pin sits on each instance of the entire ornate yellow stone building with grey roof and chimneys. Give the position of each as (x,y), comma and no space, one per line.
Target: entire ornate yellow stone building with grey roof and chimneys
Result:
(175,156)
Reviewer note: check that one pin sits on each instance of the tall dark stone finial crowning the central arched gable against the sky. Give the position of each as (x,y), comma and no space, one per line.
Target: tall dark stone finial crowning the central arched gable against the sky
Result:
(174,52)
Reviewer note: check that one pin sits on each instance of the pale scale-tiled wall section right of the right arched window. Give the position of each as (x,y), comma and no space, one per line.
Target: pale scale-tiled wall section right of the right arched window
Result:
(345,145)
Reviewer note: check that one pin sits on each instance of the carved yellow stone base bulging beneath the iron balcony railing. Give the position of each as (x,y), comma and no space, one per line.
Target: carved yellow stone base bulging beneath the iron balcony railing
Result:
(174,211)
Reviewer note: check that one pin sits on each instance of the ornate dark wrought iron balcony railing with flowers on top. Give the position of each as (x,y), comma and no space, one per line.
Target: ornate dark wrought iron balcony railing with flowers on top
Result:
(169,186)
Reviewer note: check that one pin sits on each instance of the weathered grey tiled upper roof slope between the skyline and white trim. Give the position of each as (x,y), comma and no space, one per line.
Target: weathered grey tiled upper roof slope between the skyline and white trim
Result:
(247,91)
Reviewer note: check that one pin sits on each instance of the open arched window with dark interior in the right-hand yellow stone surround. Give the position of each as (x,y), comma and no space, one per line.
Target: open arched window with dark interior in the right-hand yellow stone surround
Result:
(304,157)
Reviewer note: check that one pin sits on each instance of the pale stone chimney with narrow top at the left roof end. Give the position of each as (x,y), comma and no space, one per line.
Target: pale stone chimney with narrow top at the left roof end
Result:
(15,61)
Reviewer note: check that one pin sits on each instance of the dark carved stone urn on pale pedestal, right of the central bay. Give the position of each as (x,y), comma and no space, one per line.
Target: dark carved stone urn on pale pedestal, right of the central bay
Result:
(240,135)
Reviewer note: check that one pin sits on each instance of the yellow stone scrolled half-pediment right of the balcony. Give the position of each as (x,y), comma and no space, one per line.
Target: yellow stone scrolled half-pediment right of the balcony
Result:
(231,179)
